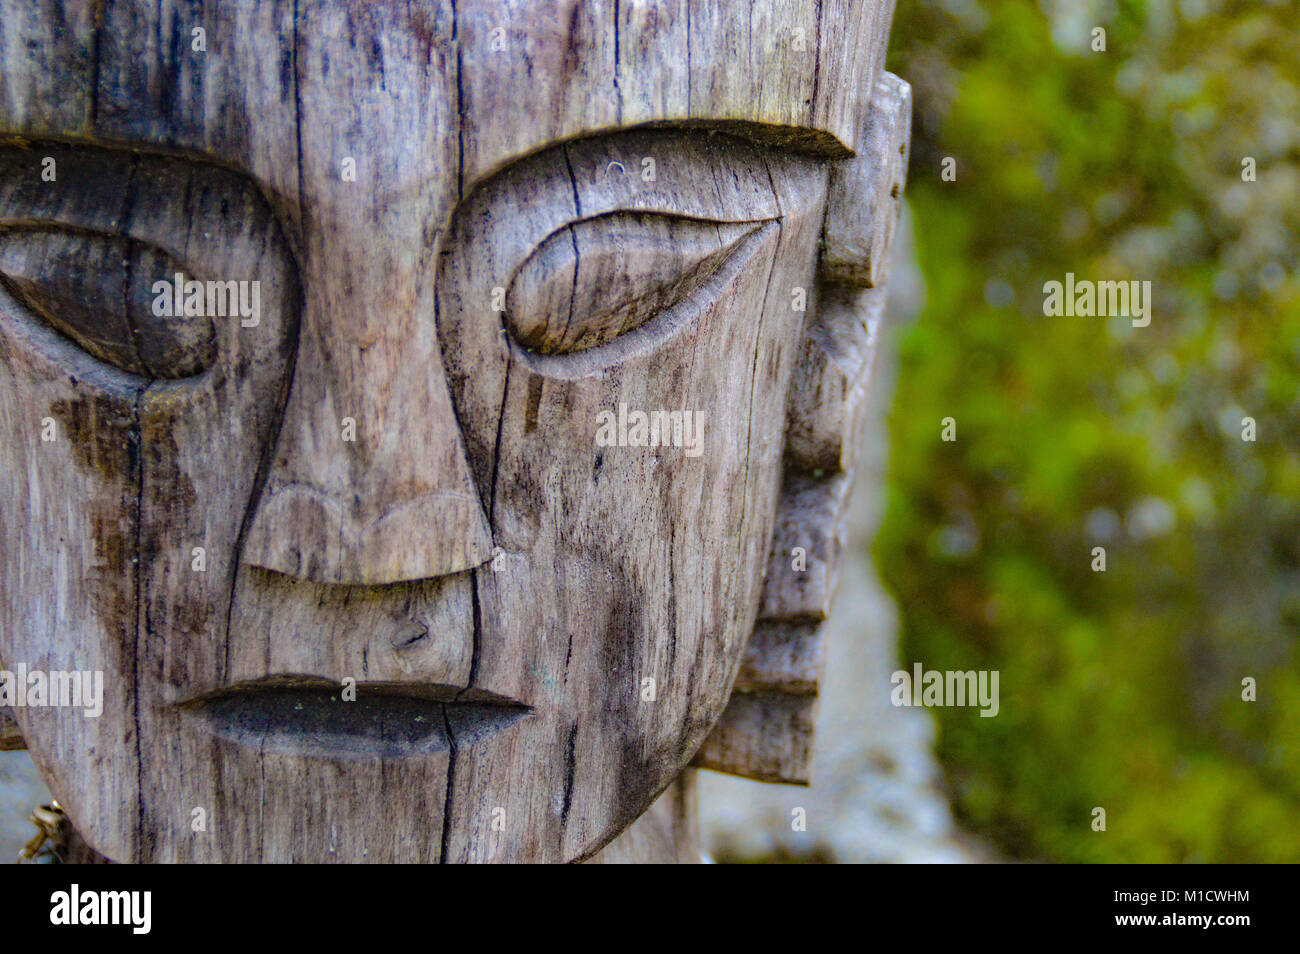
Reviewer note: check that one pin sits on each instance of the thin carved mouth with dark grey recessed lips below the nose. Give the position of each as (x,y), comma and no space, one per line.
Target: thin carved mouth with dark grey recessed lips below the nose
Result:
(301,715)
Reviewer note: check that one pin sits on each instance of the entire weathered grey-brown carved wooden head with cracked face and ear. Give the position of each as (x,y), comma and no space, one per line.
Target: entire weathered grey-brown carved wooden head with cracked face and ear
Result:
(431,422)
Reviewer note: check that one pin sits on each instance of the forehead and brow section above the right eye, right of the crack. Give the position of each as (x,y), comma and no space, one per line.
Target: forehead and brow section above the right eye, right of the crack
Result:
(795,73)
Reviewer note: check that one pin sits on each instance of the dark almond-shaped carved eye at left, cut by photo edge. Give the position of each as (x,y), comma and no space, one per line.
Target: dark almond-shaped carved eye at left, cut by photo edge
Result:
(98,292)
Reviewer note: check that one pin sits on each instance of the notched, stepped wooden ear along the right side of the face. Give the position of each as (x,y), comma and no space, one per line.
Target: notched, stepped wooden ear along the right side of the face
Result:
(768,730)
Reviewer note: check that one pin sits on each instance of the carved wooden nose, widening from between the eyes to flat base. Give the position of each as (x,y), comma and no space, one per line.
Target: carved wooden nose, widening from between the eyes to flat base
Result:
(370,483)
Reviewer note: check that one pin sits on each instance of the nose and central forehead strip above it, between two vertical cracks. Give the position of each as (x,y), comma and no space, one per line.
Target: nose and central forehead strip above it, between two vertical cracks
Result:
(379,97)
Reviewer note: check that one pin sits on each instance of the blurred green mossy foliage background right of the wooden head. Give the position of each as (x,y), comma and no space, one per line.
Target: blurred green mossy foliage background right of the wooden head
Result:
(1119,690)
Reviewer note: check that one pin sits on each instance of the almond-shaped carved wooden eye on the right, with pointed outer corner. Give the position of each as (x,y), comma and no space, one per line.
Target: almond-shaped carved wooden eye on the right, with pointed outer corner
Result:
(600,279)
